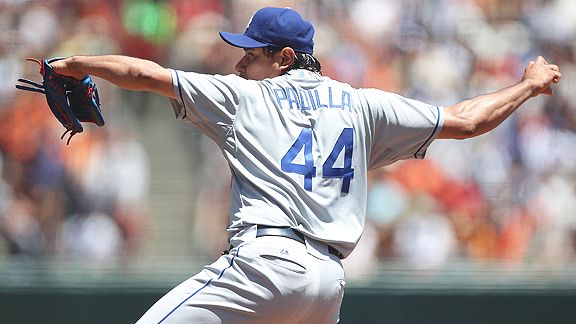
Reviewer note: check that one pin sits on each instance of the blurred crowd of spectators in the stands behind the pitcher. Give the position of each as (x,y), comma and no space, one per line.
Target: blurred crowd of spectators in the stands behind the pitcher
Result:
(507,197)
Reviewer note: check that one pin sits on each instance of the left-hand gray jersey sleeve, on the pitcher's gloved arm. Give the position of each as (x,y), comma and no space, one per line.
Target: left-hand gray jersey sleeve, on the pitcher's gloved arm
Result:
(209,102)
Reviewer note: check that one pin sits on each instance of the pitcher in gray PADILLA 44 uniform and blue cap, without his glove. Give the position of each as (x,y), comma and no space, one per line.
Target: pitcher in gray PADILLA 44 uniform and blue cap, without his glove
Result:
(299,146)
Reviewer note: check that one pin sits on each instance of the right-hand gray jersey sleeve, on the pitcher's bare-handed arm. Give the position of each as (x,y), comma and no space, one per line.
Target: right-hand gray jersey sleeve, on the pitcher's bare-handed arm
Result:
(399,127)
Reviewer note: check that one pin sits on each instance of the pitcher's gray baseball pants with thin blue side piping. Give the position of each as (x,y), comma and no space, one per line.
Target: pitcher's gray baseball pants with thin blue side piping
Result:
(267,279)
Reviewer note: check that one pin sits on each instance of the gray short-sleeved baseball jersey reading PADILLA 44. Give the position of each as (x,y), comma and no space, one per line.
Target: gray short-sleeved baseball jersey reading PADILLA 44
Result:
(300,145)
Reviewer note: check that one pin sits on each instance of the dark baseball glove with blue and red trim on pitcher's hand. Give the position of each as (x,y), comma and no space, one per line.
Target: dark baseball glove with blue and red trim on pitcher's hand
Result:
(72,101)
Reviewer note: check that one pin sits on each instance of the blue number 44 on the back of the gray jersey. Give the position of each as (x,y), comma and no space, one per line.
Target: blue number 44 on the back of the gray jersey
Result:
(304,141)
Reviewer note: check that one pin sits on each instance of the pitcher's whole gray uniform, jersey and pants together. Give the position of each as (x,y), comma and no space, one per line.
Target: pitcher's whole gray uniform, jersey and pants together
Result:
(299,147)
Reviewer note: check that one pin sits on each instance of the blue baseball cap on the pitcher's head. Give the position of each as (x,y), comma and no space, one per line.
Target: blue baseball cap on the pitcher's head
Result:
(278,27)
